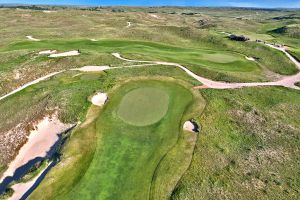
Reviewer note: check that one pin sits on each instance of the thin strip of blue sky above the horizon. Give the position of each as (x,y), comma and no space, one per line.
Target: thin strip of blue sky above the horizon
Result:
(210,3)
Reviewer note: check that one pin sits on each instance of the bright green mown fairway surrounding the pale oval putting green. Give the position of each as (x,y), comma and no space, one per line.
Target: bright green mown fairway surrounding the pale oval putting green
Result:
(128,155)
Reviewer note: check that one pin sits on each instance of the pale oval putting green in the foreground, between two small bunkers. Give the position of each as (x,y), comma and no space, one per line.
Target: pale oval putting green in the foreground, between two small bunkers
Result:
(143,106)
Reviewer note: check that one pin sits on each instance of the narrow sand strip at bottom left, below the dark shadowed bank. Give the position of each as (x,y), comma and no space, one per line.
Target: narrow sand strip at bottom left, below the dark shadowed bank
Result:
(21,188)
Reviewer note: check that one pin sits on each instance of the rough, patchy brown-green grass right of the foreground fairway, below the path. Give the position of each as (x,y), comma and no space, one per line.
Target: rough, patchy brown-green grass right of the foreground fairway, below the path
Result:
(247,148)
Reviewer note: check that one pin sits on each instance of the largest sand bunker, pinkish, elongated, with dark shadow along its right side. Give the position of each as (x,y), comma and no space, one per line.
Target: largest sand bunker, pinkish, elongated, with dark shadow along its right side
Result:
(39,142)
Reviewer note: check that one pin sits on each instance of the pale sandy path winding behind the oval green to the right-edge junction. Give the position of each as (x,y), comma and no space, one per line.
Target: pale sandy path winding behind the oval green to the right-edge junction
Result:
(287,81)
